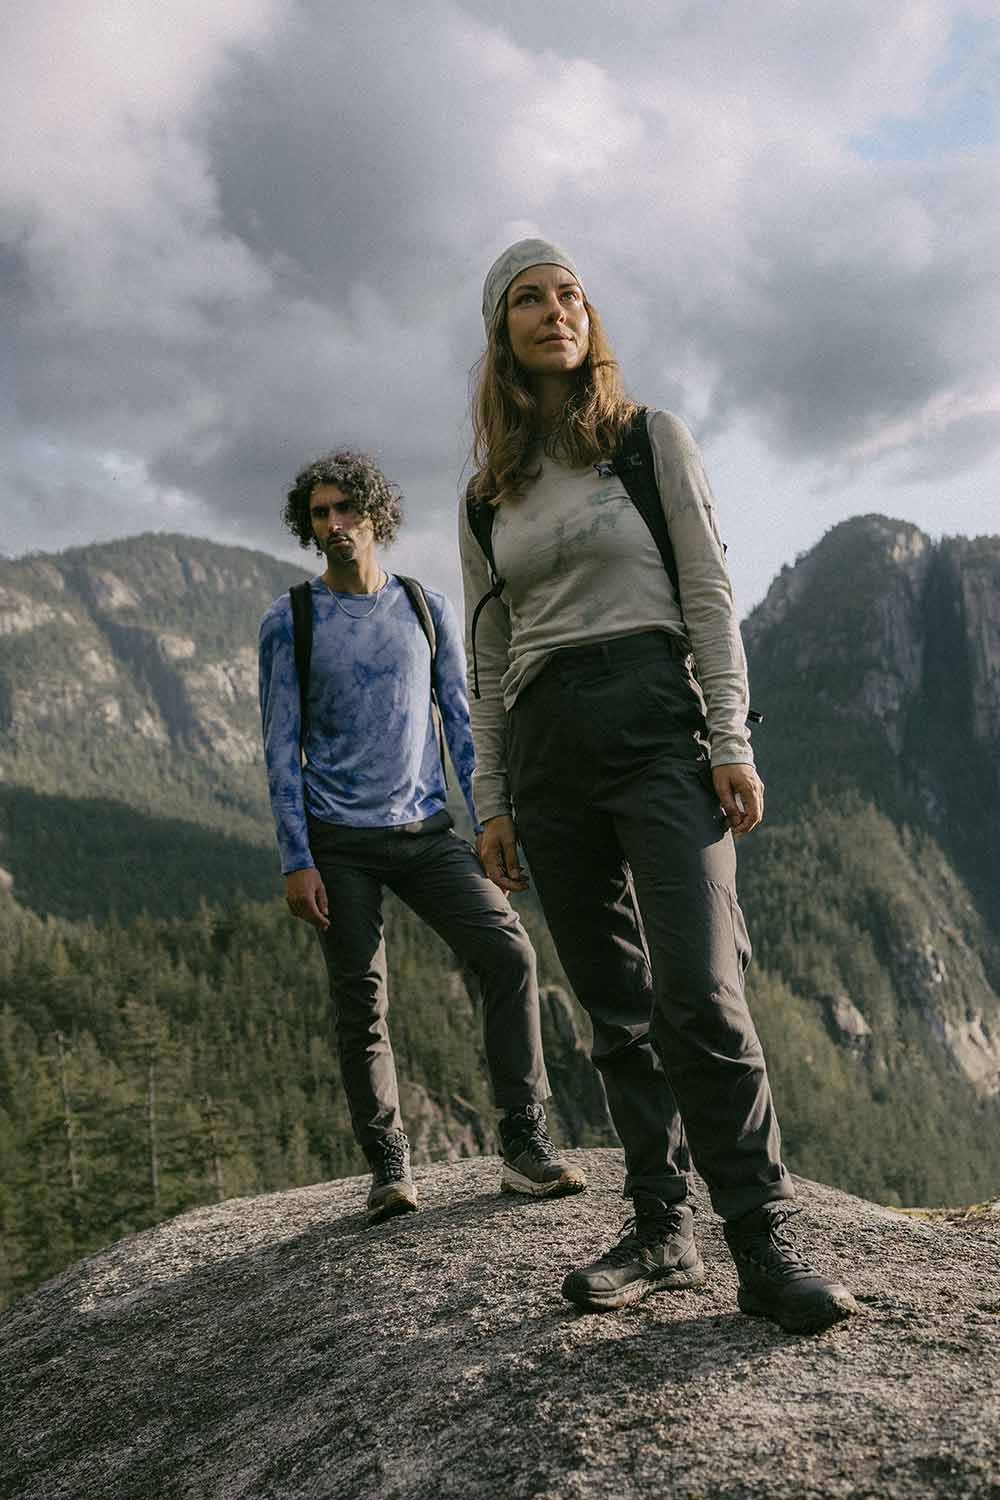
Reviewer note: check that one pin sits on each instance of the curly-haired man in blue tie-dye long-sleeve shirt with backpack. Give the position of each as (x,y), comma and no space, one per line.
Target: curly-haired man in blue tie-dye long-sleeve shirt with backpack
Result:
(368,811)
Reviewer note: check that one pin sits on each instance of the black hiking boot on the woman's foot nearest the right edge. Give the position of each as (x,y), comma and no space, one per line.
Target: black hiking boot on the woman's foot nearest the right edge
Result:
(774,1282)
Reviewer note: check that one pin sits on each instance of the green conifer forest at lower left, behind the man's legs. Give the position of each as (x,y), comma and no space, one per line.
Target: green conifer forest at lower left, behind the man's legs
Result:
(164,1064)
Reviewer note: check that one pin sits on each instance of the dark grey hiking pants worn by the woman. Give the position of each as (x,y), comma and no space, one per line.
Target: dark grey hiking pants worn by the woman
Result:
(618,817)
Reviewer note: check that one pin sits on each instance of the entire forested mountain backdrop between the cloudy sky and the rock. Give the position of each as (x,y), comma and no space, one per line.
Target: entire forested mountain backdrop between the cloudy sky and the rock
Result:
(149,1063)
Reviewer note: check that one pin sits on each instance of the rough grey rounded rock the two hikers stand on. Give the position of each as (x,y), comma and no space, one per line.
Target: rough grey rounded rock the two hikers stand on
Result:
(277,1348)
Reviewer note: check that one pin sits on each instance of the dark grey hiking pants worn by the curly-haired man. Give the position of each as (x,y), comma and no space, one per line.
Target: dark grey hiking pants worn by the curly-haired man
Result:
(440,878)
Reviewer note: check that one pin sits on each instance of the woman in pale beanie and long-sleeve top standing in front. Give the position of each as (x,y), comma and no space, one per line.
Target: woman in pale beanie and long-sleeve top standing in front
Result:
(627,775)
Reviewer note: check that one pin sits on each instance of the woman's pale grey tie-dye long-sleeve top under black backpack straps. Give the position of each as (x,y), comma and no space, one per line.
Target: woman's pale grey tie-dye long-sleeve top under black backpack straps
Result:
(581,566)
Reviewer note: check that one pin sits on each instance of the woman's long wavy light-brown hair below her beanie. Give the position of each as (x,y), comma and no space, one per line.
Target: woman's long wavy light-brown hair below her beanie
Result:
(506,419)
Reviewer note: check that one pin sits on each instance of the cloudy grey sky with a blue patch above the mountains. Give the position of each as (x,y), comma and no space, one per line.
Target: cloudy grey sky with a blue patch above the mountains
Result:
(235,233)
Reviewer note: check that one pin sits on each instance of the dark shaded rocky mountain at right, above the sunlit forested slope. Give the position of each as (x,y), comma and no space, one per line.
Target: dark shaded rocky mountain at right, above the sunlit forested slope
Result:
(879,655)
